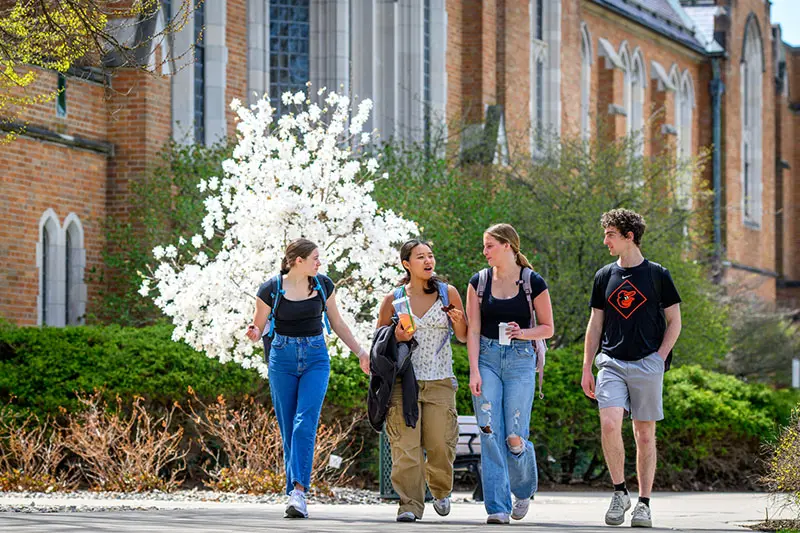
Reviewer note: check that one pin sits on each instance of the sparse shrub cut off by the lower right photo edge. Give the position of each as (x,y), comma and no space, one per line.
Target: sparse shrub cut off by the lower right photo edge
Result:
(783,468)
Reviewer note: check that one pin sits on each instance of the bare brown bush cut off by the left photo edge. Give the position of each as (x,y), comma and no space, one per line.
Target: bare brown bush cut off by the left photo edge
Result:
(32,454)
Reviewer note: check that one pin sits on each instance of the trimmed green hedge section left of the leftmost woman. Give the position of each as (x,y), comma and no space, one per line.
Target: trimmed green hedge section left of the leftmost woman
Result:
(43,368)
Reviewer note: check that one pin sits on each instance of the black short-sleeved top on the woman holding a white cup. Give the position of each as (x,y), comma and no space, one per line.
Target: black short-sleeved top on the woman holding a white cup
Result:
(515,309)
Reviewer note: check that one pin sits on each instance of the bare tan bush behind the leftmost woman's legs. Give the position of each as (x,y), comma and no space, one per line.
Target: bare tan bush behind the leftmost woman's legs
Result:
(246,450)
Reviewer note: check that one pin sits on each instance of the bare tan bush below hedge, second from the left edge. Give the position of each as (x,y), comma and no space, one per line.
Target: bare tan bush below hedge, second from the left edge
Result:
(125,452)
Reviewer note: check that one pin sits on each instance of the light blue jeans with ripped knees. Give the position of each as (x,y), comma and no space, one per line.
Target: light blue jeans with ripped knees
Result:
(503,410)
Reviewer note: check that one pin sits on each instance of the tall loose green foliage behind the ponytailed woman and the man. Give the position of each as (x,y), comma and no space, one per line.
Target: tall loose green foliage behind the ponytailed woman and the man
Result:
(555,202)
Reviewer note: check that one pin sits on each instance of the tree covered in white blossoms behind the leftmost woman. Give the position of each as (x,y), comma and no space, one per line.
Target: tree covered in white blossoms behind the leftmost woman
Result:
(302,176)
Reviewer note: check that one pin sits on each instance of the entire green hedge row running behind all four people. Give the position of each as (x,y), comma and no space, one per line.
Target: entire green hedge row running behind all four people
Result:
(712,435)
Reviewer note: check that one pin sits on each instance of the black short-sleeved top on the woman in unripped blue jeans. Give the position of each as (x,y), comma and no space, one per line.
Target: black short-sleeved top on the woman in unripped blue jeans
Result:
(301,318)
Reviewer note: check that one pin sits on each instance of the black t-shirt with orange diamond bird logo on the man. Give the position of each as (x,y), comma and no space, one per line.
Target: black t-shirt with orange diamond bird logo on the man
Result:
(633,326)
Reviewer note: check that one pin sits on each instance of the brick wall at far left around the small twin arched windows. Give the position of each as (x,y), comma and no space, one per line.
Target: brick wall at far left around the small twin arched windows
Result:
(36,176)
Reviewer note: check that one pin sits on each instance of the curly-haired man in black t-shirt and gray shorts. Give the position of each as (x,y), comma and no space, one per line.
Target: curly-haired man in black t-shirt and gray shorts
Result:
(634,324)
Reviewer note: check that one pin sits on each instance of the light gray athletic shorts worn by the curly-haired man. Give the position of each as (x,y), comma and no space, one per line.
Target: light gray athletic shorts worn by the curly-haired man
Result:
(635,386)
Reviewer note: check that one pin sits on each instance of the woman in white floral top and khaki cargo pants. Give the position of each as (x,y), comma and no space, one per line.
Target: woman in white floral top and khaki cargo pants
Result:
(436,433)
